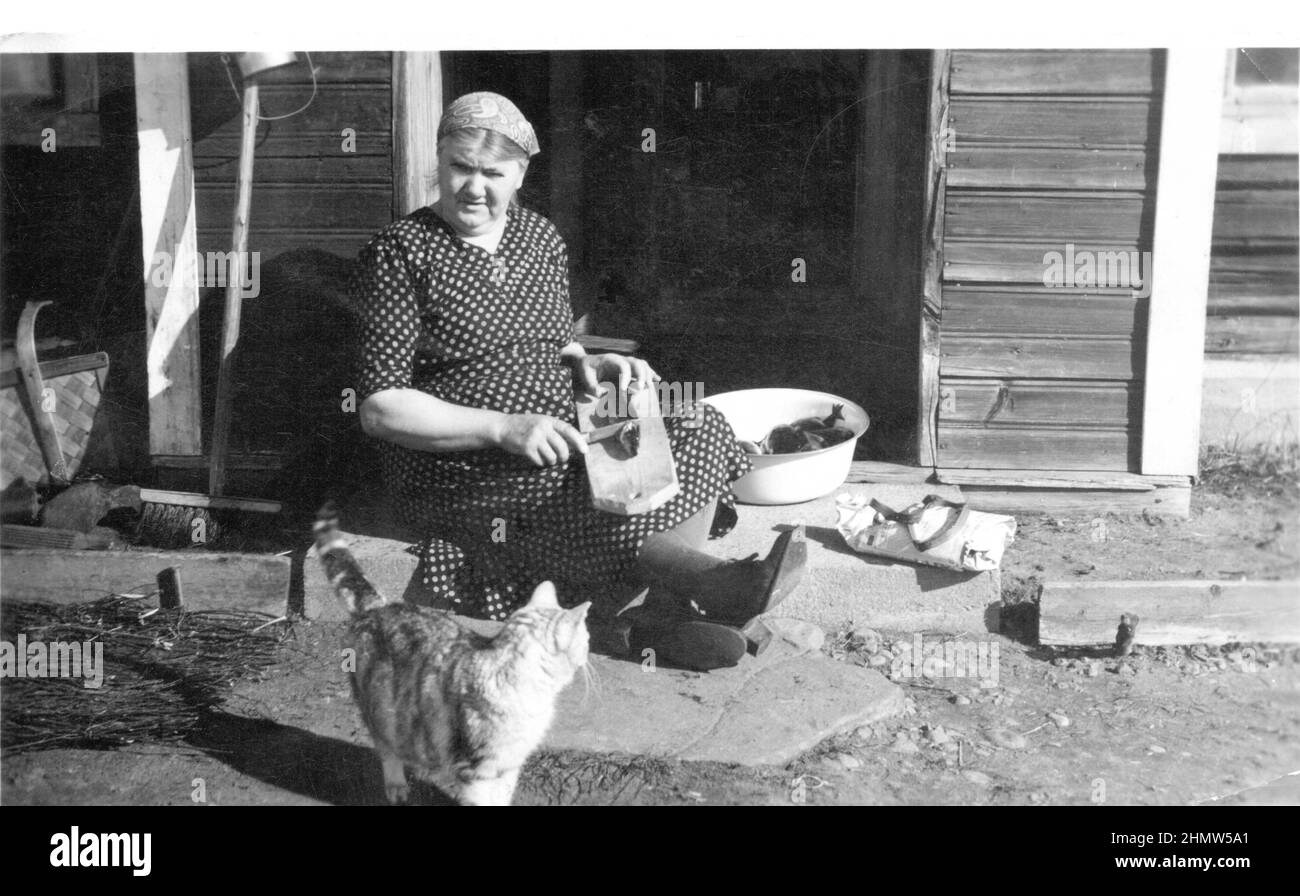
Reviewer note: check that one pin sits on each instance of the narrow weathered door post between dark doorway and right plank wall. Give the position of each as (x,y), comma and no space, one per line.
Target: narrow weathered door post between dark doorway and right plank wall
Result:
(933,259)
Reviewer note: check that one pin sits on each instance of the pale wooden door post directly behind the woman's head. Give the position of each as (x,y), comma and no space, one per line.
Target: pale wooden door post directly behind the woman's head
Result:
(417,109)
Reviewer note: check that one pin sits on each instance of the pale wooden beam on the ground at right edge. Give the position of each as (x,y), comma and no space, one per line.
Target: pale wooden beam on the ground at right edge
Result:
(1198,612)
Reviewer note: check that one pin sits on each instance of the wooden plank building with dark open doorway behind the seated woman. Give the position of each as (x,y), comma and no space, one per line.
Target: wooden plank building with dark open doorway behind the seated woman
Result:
(1019,275)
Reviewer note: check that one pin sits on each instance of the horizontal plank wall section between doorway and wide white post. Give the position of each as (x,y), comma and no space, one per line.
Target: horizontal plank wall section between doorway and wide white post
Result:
(1046,149)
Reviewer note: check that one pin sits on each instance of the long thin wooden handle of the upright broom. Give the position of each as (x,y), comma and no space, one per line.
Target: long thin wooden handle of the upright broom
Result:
(235,296)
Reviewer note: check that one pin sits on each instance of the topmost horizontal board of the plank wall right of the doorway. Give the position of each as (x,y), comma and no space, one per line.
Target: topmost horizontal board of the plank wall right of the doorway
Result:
(1055,71)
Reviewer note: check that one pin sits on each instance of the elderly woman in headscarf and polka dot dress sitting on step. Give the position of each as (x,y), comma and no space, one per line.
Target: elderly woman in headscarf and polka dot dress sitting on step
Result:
(469,378)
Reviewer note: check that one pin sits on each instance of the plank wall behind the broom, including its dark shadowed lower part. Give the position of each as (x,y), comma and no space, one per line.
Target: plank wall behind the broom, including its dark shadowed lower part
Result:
(323,187)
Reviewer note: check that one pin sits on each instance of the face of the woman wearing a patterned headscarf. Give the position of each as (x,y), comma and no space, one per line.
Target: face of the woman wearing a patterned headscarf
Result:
(475,191)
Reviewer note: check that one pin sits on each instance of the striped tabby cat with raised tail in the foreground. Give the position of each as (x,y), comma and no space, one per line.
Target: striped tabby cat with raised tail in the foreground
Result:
(461,709)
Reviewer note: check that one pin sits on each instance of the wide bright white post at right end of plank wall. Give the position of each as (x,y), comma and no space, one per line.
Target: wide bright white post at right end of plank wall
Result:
(1181,261)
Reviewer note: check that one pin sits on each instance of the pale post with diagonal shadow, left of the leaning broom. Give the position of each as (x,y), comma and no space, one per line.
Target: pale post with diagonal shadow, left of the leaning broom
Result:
(171,254)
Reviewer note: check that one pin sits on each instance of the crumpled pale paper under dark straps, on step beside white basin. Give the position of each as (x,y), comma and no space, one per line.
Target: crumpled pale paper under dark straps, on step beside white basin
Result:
(977,543)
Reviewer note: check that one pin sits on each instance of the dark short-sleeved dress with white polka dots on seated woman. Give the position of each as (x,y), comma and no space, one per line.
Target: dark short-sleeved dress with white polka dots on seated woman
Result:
(486,331)
